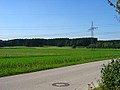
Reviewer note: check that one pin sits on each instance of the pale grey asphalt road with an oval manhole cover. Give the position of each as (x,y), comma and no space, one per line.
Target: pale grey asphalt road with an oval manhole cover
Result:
(77,77)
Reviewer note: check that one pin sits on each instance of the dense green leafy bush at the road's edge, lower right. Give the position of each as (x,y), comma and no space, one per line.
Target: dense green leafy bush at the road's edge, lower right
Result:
(111,76)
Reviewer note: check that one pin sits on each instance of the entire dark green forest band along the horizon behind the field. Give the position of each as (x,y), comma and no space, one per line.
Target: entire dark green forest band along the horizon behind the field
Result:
(60,42)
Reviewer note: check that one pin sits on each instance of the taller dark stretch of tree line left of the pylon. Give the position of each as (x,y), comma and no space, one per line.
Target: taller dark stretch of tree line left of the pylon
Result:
(48,42)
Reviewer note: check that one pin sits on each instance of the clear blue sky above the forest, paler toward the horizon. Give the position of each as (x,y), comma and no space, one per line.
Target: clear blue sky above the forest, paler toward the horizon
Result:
(57,19)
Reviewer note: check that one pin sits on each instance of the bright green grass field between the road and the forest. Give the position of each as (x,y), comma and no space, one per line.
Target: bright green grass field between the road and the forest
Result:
(16,60)
